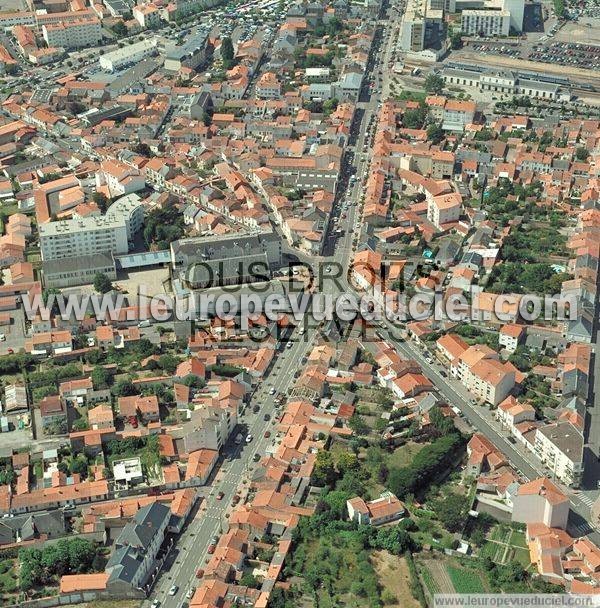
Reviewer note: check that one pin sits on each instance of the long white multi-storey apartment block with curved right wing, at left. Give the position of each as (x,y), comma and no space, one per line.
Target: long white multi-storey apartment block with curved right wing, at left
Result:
(81,236)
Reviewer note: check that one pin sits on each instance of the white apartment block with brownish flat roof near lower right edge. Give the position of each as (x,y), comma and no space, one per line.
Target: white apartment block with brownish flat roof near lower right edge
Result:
(560,447)
